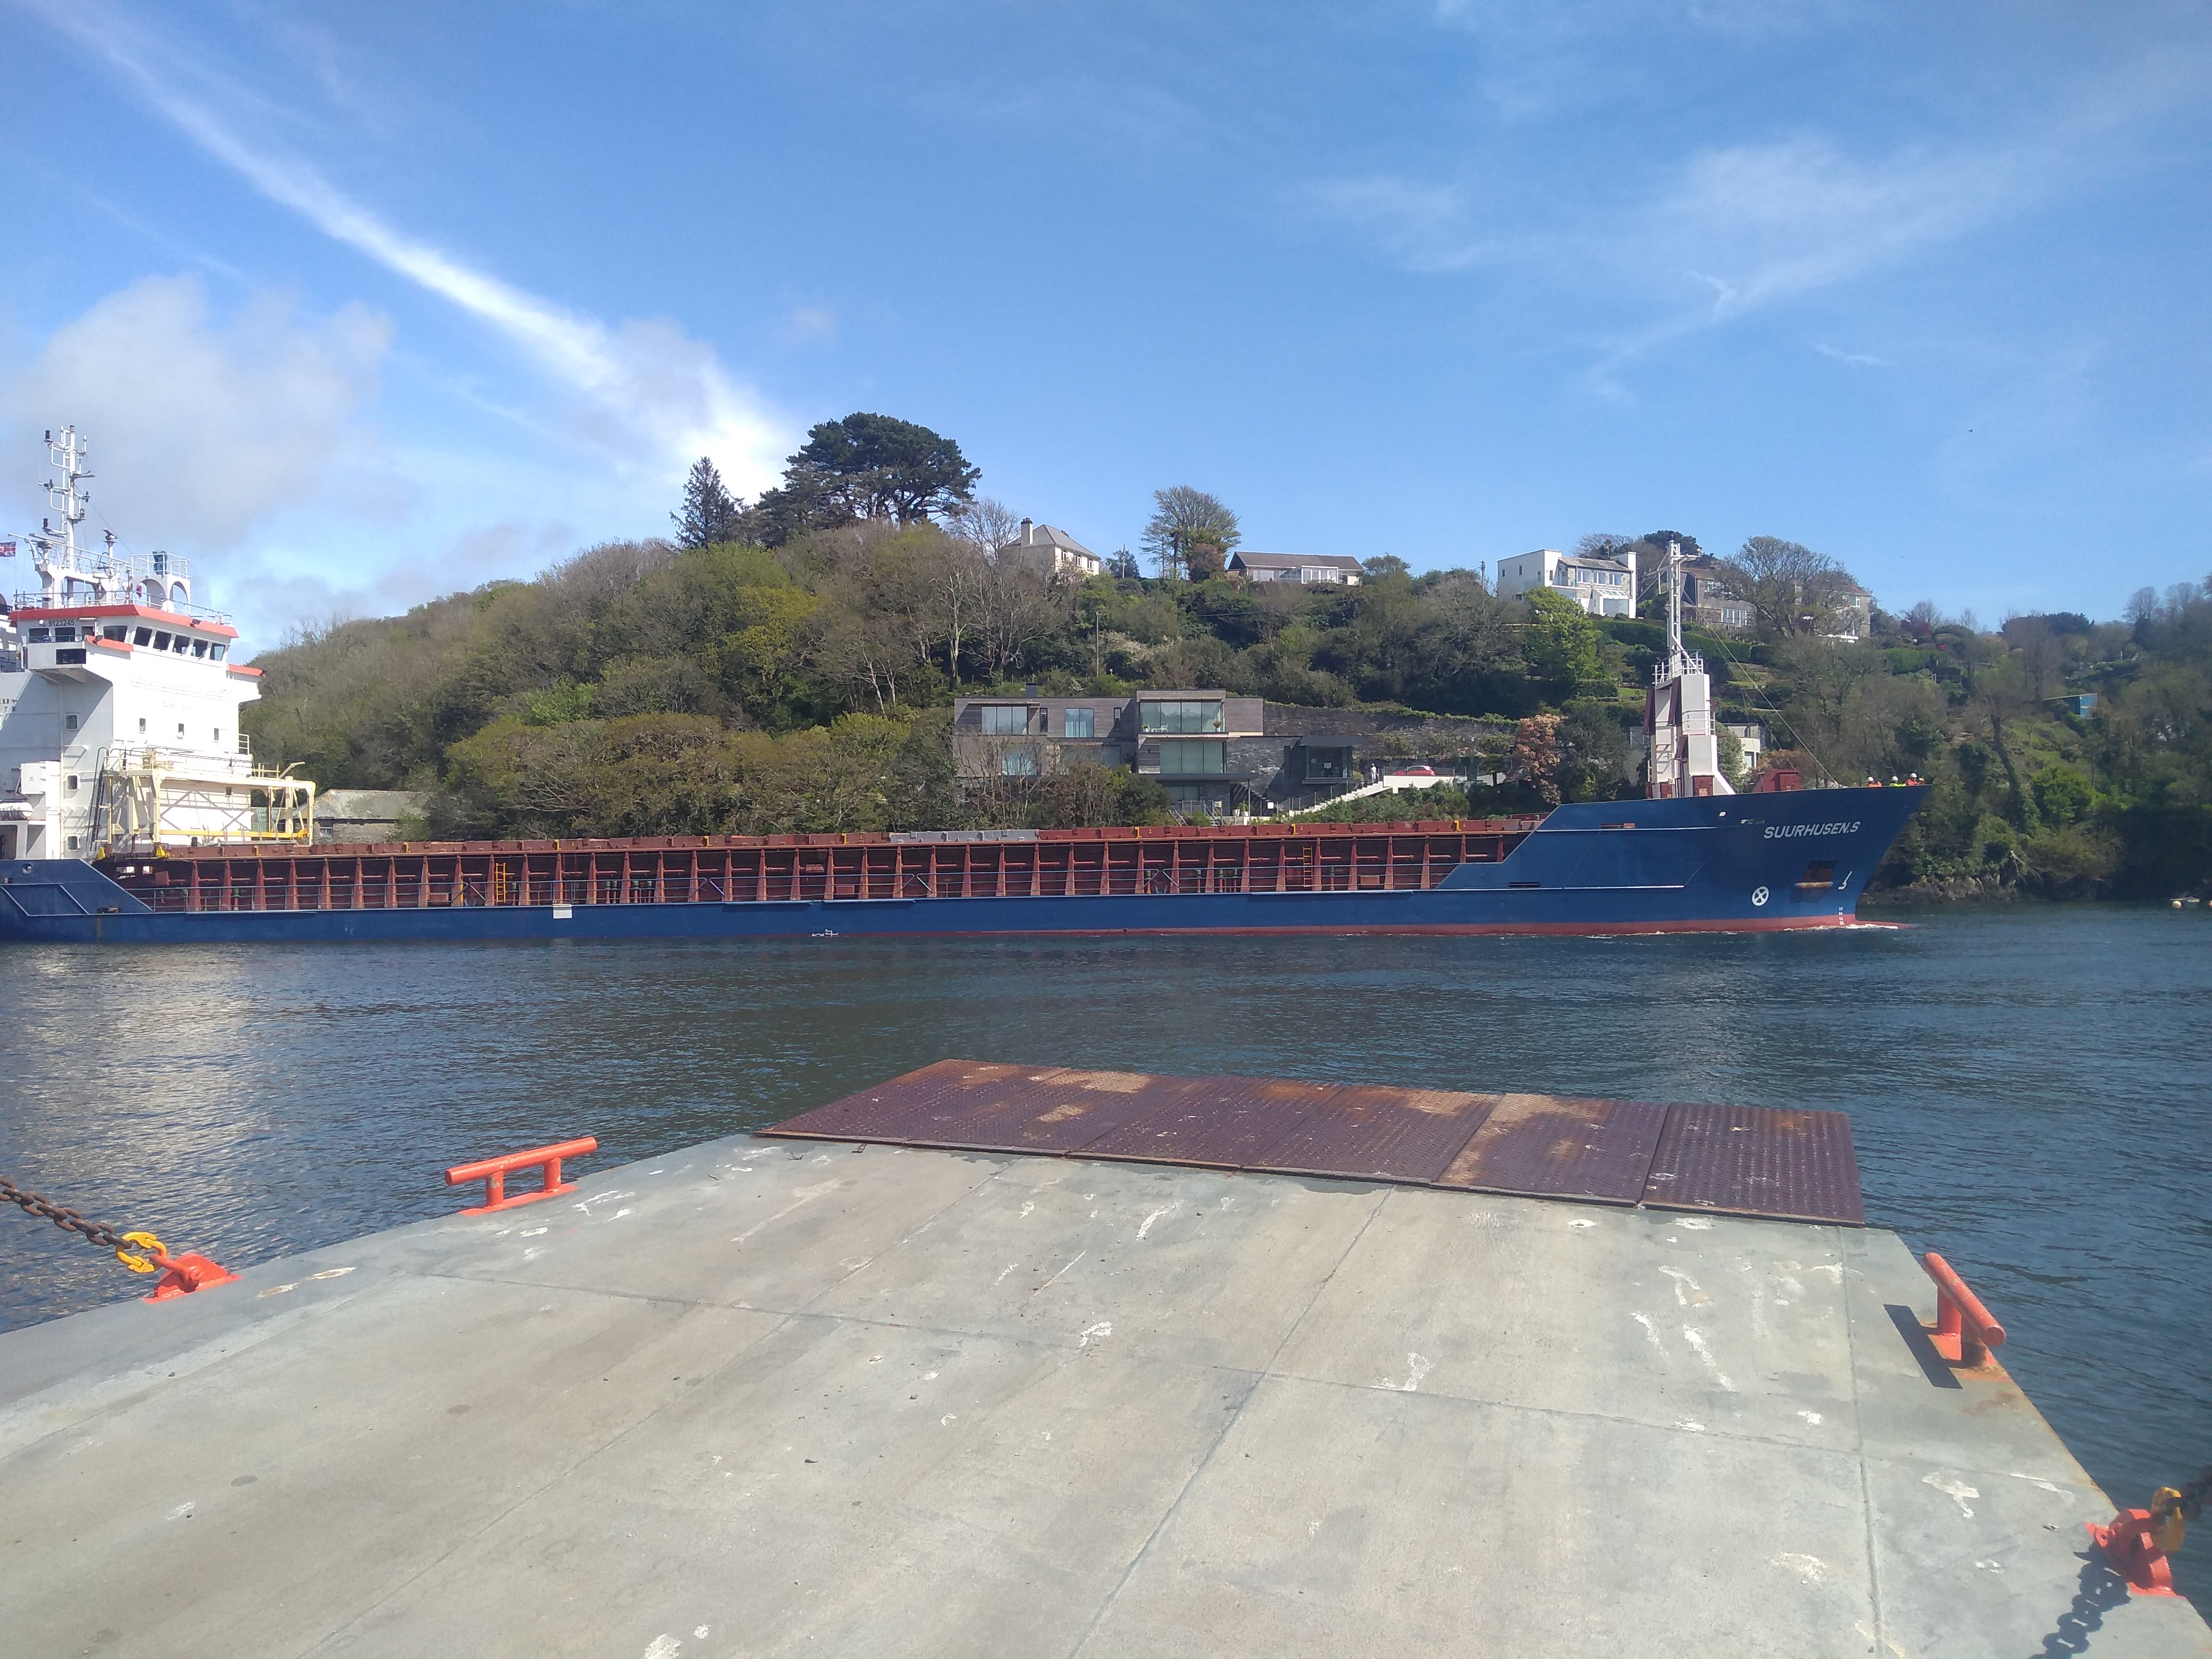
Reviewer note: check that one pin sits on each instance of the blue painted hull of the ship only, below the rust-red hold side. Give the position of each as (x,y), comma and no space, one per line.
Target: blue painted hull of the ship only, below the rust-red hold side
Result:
(1720,864)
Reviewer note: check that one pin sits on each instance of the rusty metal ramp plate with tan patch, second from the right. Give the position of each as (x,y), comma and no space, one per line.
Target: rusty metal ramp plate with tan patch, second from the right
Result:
(1554,1147)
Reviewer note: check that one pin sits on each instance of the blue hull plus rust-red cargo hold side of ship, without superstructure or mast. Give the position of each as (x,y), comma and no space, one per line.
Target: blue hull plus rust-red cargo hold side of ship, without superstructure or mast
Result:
(1784,859)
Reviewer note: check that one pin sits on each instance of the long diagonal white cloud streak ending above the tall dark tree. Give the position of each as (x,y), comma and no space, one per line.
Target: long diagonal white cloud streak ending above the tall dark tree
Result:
(634,379)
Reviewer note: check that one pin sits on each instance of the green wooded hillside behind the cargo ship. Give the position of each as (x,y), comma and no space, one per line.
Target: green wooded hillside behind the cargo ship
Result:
(731,687)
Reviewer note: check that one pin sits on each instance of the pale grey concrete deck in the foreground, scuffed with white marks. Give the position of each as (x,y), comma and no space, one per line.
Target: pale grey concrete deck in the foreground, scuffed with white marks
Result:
(775,1397)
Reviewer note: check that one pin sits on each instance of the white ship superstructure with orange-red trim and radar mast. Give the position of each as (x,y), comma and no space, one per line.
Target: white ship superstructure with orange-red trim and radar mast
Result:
(121,705)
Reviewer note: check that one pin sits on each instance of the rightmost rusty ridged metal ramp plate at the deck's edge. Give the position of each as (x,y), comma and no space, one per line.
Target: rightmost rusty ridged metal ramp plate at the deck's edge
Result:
(1755,1160)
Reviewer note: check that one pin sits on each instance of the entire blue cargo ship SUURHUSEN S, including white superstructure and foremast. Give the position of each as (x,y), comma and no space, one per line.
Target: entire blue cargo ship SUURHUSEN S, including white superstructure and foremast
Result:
(136,815)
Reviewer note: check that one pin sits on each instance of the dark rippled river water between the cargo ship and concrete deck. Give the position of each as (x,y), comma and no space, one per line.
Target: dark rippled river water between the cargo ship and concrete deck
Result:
(2027,1087)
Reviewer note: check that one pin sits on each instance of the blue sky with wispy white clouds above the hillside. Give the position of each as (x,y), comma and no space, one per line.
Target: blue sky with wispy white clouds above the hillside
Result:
(368,302)
